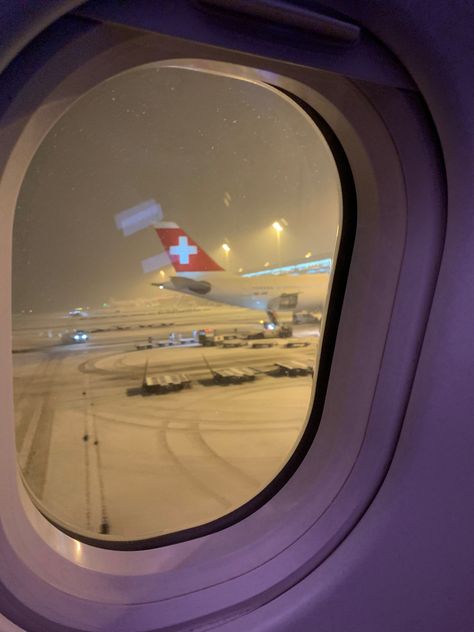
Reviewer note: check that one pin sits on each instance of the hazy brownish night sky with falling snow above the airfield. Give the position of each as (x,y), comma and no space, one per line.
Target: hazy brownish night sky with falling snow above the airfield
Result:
(223,157)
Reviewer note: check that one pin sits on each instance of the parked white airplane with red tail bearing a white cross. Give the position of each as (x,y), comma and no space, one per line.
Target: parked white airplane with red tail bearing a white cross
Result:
(197,274)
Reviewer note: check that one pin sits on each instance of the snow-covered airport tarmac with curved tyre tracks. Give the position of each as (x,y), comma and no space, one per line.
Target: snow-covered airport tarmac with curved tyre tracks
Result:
(96,459)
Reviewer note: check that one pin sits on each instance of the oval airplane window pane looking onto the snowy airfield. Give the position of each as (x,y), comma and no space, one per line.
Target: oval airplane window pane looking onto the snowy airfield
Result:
(174,241)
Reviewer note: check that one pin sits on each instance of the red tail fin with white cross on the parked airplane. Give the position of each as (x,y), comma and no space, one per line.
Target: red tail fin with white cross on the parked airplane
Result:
(185,254)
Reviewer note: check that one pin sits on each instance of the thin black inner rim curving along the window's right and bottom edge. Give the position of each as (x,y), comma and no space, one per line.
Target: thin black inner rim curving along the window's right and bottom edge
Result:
(338,279)
